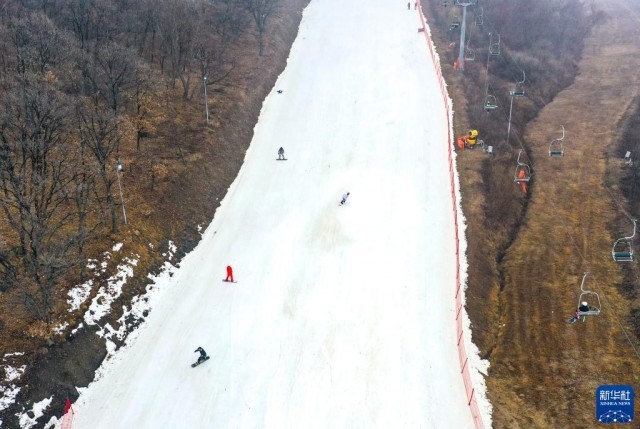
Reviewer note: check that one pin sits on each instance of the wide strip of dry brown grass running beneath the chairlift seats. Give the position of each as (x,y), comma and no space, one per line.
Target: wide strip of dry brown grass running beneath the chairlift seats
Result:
(544,372)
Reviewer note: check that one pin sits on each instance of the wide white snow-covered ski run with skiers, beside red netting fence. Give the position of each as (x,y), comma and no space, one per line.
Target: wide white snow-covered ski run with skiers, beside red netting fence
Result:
(342,316)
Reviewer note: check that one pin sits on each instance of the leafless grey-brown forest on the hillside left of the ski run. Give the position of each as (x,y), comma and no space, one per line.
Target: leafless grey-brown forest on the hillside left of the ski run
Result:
(79,81)
